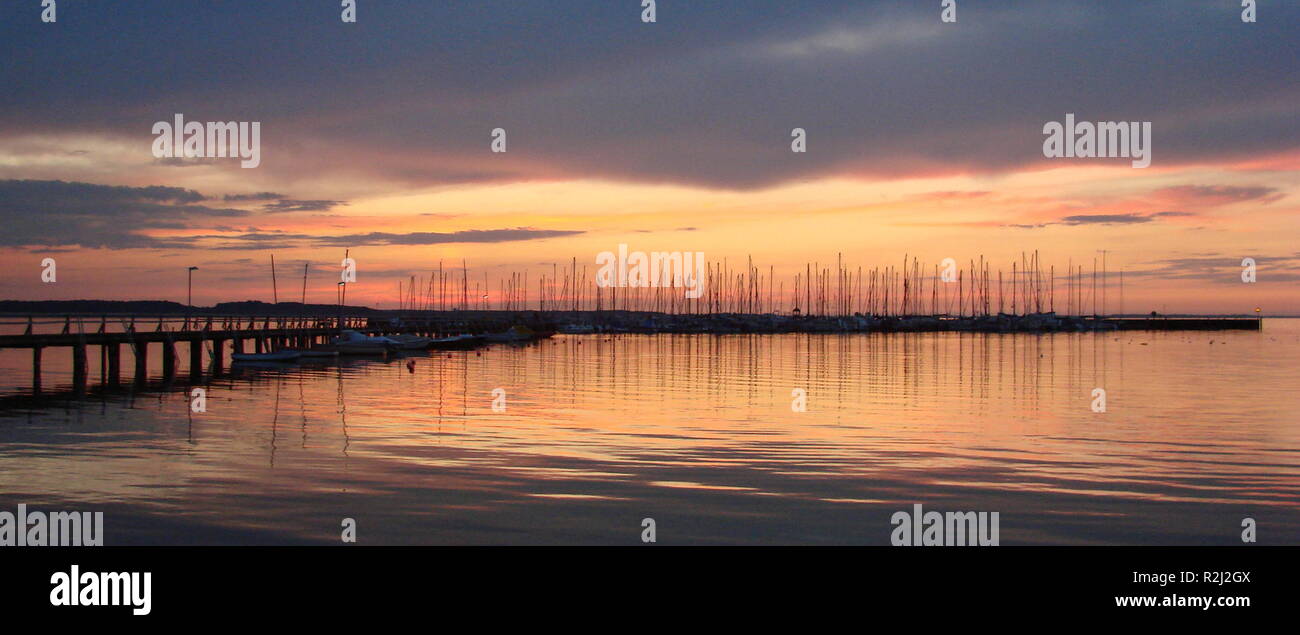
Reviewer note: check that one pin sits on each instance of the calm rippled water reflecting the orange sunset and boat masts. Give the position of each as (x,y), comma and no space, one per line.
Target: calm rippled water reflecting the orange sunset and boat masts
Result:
(694,431)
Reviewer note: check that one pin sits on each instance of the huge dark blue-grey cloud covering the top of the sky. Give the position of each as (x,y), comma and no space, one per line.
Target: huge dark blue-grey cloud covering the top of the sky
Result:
(708,96)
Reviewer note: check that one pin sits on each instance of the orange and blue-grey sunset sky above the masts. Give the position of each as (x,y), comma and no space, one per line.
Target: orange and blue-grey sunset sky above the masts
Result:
(924,139)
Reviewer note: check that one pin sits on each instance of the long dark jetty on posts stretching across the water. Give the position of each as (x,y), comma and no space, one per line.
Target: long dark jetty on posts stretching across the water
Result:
(210,338)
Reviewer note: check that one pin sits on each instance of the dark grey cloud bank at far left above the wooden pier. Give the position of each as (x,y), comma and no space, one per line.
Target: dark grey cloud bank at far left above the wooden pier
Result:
(64,214)
